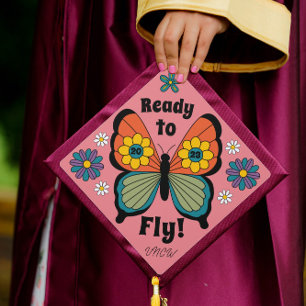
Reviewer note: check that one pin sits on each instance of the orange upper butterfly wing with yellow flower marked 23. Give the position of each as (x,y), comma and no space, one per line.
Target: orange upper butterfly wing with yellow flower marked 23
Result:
(203,135)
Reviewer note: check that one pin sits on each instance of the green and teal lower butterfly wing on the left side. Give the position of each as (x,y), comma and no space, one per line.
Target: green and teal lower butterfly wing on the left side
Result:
(135,192)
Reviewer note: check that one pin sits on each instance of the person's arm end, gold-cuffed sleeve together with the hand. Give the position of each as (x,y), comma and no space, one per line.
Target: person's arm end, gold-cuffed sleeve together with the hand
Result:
(256,40)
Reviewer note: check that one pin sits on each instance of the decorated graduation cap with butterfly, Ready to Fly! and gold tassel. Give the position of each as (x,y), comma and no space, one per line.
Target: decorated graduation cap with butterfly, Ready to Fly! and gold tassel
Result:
(166,168)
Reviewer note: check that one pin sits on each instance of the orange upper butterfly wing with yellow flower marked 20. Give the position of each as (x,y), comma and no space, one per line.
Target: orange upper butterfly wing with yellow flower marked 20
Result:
(130,130)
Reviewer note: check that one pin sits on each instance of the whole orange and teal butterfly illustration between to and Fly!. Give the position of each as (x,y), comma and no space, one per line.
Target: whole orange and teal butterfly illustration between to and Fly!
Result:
(183,176)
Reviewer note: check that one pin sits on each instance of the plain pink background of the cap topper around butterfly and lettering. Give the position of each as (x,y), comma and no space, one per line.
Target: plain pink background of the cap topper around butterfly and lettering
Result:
(131,226)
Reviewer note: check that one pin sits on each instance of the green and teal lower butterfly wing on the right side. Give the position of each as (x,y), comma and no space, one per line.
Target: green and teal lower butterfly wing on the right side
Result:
(191,195)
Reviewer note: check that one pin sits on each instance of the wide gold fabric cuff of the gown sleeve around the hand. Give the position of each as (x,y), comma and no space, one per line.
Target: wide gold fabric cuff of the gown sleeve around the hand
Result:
(265,21)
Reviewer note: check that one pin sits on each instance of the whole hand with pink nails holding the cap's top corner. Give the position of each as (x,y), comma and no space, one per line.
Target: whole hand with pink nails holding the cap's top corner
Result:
(197,31)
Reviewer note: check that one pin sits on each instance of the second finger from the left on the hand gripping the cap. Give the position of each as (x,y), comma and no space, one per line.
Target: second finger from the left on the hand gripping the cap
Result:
(171,40)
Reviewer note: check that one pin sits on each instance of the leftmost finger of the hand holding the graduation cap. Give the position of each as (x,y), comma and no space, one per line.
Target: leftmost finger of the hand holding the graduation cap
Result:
(159,49)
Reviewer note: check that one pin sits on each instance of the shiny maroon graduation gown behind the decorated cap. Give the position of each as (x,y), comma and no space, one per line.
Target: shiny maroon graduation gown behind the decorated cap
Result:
(85,52)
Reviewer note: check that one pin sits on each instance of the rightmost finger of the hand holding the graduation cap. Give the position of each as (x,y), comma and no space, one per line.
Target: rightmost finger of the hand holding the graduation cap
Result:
(204,42)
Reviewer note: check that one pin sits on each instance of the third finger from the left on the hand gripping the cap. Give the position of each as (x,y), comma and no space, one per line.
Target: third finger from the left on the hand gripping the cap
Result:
(187,50)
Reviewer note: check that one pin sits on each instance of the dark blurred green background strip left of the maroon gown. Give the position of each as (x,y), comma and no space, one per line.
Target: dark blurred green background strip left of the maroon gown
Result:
(17,23)
